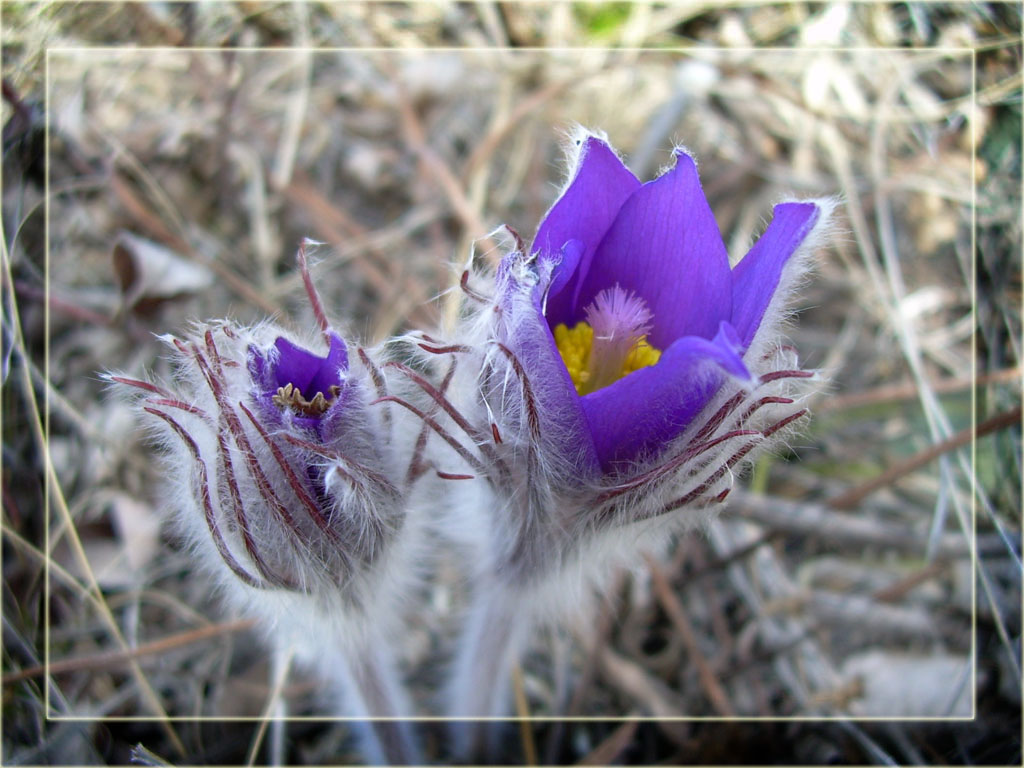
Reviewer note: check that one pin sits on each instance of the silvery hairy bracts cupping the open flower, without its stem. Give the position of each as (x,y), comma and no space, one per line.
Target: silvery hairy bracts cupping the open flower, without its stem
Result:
(540,479)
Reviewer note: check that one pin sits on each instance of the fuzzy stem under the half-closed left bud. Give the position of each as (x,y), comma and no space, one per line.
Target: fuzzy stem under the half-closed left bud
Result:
(370,691)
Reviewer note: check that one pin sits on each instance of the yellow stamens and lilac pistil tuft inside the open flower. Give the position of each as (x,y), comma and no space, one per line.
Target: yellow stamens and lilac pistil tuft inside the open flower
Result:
(611,344)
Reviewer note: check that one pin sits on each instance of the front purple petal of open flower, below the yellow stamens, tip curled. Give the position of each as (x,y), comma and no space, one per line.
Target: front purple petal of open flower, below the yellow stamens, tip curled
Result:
(638,416)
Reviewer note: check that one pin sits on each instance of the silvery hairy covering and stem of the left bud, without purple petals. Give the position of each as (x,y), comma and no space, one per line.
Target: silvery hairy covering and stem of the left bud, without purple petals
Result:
(343,586)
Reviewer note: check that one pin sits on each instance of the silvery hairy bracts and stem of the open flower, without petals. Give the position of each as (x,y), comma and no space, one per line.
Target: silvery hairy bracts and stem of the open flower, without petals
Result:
(539,533)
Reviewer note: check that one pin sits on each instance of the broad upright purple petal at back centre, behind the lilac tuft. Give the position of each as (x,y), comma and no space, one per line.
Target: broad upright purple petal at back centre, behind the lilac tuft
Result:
(665,246)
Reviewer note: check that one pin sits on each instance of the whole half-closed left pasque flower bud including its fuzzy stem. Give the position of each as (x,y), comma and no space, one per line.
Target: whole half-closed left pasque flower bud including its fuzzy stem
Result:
(287,486)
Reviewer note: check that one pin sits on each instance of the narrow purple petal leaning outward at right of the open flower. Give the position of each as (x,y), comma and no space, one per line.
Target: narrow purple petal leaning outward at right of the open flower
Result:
(756,278)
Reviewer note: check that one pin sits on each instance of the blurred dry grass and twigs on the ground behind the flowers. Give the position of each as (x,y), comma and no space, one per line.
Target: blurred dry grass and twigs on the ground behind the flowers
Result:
(861,594)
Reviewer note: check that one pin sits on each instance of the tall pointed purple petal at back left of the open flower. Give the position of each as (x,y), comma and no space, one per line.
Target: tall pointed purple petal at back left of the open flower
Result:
(584,212)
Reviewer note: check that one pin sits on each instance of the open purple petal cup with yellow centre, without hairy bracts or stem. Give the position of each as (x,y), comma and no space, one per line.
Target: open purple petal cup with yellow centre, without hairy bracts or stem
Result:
(635,319)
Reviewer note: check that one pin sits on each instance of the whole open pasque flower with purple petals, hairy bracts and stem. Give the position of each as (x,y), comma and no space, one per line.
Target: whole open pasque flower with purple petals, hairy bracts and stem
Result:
(616,372)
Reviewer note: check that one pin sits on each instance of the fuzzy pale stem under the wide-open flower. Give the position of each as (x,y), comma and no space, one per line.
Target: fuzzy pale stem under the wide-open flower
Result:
(496,626)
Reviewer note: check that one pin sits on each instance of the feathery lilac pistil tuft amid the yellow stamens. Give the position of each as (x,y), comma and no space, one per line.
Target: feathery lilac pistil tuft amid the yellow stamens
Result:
(620,320)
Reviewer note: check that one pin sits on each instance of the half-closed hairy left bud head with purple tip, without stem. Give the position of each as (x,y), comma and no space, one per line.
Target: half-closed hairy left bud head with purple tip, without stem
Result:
(286,481)
